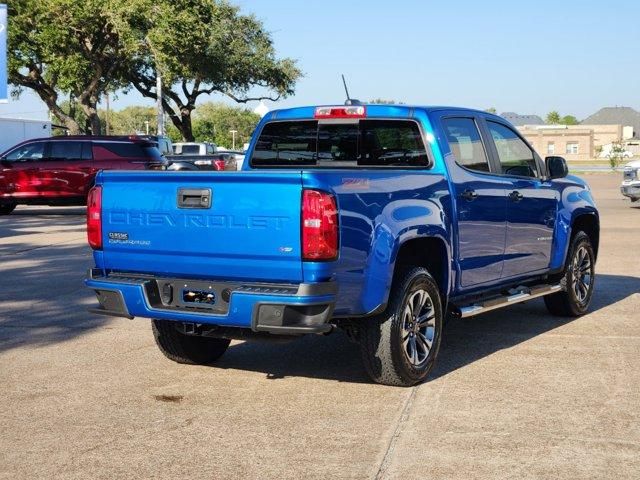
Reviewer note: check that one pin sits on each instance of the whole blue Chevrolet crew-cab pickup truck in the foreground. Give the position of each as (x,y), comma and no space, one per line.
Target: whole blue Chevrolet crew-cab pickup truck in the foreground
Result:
(379,220)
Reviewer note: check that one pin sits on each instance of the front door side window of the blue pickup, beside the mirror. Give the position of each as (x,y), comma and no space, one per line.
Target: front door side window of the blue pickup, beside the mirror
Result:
(516,158)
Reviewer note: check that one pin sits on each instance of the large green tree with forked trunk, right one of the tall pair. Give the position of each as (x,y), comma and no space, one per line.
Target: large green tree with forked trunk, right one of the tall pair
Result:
(207,46)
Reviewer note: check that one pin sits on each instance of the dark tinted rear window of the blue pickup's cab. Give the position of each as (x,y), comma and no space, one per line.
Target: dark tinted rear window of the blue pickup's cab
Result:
(340,144)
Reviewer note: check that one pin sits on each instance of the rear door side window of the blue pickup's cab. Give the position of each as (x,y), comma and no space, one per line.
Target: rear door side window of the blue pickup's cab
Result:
(465,143)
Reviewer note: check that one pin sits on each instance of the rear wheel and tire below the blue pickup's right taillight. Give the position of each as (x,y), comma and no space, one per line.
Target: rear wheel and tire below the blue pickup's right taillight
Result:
(385,340)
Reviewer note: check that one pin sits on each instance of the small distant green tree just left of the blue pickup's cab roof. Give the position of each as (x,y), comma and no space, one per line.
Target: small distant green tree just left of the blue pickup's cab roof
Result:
(213,122)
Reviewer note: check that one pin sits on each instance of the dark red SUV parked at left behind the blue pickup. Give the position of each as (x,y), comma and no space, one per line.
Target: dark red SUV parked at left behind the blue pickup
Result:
(61,170)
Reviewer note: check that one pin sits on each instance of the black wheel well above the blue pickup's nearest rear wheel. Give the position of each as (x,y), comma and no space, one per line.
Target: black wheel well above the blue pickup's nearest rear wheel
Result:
(430,253)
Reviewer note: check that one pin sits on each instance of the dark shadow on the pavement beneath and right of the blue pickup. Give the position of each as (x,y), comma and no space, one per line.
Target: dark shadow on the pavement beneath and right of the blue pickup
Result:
(464,341)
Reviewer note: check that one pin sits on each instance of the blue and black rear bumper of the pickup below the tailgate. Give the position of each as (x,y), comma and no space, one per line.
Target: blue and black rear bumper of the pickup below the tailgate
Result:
(287,309)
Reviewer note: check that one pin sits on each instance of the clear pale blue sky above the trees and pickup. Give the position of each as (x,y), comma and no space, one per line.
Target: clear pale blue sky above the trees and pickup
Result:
(529,57)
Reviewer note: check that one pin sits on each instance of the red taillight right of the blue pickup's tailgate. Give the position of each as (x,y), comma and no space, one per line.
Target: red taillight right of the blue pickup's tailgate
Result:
(319,226)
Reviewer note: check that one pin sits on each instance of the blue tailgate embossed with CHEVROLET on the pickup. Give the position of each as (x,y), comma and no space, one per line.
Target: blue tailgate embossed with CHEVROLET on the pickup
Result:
(159,223)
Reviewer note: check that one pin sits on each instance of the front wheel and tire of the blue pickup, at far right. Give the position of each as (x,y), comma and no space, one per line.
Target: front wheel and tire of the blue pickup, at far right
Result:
(578,280)
